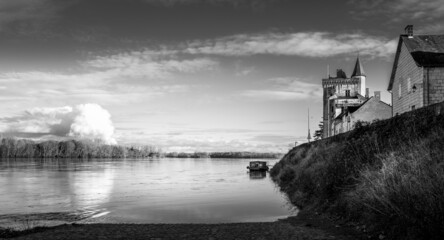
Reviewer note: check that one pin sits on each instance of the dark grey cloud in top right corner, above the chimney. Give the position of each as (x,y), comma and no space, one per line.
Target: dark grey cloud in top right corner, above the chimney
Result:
(399,10)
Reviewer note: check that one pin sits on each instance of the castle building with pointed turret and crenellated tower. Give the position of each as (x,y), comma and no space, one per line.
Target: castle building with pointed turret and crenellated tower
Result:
(347,100)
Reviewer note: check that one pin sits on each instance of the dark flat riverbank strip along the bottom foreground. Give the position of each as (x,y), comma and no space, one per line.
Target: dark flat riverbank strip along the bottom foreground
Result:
(307,225)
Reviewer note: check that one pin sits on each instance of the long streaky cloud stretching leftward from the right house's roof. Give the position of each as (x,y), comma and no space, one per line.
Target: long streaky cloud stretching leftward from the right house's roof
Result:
(304,44)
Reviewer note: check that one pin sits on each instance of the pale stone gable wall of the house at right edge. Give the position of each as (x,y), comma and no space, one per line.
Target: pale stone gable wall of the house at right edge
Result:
(407,68)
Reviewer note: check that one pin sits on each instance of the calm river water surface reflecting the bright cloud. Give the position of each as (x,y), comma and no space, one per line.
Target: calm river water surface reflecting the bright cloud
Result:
(163,190)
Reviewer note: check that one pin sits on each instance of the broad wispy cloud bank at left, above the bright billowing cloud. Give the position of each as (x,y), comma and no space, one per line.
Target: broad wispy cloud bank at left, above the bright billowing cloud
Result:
(123,77)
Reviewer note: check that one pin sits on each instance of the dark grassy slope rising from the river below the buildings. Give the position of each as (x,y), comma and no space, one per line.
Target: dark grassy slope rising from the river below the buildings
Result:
(389,175)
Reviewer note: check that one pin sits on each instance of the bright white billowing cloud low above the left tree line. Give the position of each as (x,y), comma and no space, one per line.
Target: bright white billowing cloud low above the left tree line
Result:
(84,121)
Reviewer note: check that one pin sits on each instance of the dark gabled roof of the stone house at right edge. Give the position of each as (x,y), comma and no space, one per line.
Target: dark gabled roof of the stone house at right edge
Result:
(426,50)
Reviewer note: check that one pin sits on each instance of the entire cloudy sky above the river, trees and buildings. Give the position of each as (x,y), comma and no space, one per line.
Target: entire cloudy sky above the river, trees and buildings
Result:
(190,75)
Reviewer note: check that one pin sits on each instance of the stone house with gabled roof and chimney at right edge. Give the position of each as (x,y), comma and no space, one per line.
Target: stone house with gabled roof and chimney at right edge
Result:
(417,77)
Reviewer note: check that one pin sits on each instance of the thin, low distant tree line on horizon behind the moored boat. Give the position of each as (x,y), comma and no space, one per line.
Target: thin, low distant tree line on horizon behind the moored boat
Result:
(223,155)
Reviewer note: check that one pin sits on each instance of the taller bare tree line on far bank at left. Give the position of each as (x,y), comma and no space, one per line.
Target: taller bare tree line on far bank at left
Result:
(23,148)
